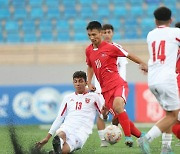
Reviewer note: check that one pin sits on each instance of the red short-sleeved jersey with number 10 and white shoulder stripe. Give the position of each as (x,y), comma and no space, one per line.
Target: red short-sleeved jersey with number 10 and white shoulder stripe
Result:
(103,60)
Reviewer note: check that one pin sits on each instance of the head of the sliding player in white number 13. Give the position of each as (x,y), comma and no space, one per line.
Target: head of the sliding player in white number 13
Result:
(80,81)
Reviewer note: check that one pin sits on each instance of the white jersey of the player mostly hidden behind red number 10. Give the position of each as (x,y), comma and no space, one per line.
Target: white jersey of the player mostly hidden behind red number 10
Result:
(121,65)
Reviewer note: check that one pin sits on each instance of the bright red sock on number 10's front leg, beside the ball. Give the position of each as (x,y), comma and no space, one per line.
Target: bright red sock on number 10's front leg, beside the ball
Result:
(125,124)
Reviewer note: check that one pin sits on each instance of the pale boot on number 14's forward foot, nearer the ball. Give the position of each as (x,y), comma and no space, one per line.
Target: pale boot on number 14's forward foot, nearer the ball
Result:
(144,145)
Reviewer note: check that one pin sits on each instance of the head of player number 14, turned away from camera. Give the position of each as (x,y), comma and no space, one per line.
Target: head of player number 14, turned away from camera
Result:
(163,16)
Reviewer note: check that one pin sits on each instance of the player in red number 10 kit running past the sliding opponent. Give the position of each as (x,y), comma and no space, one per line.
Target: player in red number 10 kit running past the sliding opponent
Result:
(101,58)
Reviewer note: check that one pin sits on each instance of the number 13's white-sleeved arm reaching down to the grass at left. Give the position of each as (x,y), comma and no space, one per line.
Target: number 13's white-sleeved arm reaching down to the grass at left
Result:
(56,124)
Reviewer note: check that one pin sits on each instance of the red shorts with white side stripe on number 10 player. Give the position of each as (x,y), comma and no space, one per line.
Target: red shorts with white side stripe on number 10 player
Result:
(118,91)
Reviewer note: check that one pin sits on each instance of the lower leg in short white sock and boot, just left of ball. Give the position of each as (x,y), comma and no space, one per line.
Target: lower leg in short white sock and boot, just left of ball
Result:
(101,127)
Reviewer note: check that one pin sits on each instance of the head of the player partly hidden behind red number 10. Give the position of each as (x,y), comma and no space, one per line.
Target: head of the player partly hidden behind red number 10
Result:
(107,32)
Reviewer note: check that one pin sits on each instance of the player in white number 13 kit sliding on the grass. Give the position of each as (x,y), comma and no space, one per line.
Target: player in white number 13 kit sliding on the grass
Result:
(75,120)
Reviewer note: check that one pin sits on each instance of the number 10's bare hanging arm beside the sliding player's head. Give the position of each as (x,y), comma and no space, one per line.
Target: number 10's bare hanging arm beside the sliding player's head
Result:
(90,74)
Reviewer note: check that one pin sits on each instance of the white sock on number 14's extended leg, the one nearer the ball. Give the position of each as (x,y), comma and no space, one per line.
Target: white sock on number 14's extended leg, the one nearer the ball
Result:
(153,133)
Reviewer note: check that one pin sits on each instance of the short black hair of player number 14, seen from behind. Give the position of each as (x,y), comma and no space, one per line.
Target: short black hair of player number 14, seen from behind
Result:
(162,13)
